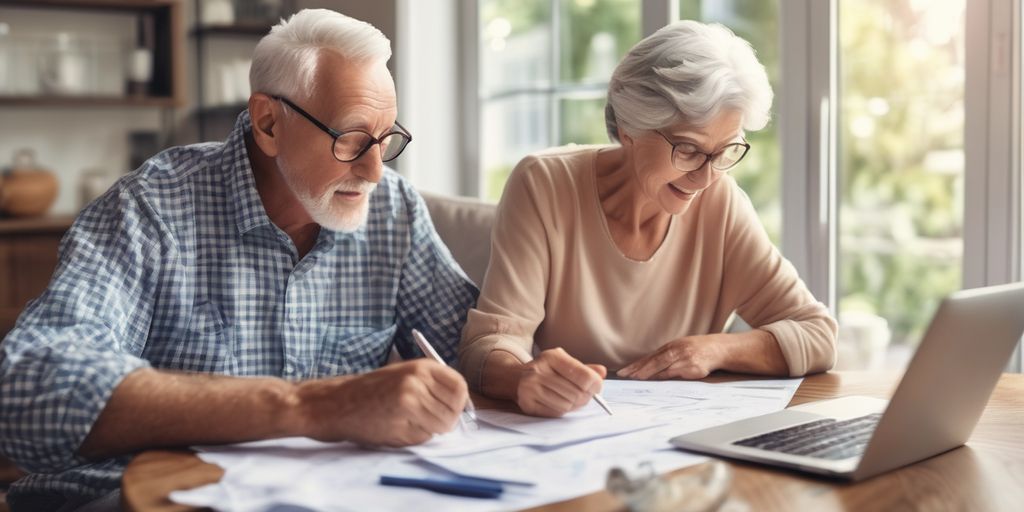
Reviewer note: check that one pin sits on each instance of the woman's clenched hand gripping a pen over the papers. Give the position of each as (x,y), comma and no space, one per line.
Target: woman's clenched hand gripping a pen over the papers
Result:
(556,383)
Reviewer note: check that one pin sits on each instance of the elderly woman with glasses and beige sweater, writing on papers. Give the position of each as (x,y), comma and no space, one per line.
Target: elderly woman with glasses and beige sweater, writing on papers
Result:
(632,258)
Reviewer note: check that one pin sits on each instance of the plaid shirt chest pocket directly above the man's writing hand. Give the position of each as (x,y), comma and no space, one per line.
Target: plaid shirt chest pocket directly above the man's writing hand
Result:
(350,350)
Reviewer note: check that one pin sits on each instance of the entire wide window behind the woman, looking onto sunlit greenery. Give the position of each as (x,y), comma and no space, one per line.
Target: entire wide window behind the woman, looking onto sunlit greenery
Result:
(882,104)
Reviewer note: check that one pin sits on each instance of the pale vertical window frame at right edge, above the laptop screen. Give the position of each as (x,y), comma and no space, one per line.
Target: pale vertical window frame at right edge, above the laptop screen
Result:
(993,148)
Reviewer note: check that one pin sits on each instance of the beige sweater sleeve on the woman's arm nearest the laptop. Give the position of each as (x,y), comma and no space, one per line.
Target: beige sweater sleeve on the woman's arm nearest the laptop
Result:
(770,294)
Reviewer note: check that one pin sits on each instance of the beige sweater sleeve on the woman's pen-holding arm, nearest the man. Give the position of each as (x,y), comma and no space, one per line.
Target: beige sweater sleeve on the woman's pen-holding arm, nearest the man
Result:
(511,304)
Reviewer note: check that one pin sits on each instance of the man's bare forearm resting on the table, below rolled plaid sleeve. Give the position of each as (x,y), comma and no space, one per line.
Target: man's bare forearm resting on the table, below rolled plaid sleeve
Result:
(151,409)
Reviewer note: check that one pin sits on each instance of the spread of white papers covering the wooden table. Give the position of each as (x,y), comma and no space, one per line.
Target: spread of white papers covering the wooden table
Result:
(554,459)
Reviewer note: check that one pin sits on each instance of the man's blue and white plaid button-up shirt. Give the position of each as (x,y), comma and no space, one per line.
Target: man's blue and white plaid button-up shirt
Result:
(180,268)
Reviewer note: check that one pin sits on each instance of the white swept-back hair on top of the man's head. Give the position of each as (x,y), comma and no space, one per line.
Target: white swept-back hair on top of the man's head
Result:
(285,61)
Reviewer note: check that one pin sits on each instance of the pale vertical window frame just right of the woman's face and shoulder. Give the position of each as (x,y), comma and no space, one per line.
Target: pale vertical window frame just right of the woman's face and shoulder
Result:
(808,120)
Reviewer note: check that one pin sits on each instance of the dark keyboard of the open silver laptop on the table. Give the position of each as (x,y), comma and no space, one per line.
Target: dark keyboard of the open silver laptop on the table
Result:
(823,439)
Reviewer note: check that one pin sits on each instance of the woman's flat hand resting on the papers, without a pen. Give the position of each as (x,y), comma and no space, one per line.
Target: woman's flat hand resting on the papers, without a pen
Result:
(688,358)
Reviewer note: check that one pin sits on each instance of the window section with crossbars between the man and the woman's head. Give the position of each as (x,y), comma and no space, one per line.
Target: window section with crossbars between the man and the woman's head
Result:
(544,70)
